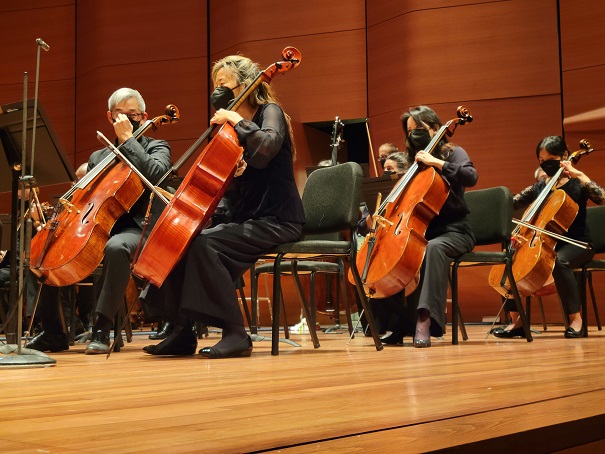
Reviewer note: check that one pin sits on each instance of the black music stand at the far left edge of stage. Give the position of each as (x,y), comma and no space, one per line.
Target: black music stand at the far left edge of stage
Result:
(52,168)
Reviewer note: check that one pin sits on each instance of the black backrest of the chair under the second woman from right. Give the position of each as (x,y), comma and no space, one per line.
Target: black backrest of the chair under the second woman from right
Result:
(491,212)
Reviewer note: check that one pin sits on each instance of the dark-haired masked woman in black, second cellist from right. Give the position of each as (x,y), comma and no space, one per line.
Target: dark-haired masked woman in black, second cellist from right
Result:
(449,233)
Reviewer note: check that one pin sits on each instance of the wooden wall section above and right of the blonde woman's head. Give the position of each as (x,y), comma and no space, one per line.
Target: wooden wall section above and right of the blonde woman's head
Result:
(331,78)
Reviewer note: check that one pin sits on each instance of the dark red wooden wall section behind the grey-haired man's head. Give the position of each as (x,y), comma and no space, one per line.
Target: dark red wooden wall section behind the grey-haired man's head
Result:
(164,57)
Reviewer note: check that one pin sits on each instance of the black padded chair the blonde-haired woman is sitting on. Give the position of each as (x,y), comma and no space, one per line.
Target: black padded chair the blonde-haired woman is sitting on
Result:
(331,202)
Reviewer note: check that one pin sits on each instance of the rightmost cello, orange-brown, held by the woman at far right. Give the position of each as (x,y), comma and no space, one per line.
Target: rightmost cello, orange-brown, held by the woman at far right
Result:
(535,237)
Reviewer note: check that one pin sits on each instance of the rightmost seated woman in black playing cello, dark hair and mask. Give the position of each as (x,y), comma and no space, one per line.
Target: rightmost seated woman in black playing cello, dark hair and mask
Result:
(551,153)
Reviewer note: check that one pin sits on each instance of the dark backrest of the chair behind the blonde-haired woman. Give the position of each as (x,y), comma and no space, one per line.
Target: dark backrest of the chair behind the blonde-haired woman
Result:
(331,198)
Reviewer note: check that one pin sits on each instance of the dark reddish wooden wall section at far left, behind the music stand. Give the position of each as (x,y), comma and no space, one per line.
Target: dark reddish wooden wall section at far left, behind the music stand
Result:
(54,22)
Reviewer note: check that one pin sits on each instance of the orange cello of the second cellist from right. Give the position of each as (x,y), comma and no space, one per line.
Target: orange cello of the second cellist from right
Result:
(391,256)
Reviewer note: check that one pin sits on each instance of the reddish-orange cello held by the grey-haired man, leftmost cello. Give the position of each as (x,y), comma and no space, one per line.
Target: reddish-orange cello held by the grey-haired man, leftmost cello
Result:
(71,244)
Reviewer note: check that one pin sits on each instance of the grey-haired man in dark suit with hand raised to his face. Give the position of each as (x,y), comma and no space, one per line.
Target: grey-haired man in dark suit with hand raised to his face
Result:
(152,158)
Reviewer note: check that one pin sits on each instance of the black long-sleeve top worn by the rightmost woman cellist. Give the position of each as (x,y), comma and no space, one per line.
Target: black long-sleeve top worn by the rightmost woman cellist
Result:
(579,192)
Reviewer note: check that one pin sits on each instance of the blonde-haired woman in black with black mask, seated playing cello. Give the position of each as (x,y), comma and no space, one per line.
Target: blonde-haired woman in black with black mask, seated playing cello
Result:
(265,208)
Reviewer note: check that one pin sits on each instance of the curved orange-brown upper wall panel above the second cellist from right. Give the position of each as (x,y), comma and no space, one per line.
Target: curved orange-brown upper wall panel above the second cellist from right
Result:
(489,52)
